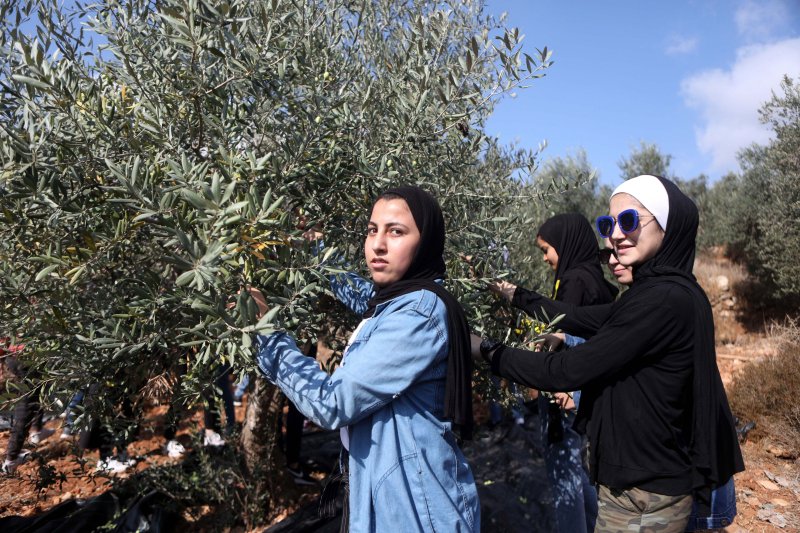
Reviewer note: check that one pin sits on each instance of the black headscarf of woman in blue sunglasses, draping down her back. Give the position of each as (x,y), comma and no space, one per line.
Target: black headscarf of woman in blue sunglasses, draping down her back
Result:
(714,447)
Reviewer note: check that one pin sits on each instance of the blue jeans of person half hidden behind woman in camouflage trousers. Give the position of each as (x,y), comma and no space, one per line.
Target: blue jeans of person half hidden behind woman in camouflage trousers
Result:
(574,496)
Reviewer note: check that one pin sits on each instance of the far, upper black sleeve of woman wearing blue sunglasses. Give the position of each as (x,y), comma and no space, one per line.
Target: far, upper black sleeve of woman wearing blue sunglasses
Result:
(579,321)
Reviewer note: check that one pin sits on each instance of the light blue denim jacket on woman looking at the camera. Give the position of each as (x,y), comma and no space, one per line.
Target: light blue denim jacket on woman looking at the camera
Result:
(407,472)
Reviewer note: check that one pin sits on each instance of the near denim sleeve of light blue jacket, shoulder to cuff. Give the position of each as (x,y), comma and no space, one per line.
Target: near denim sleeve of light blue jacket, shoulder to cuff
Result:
(403,345)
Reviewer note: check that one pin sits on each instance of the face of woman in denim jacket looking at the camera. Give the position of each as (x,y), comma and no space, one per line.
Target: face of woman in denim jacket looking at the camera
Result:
(392,240)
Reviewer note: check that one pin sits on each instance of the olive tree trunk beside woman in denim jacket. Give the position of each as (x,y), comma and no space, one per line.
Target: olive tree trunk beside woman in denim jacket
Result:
(270,489)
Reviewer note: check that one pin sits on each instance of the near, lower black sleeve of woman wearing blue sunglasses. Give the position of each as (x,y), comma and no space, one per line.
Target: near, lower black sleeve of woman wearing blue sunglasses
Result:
(643,327)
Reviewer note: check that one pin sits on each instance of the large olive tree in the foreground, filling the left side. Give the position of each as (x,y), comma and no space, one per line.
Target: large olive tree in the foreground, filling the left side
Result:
(158,157)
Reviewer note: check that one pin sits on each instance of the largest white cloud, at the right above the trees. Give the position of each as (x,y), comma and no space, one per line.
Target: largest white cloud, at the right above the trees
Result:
(728,100)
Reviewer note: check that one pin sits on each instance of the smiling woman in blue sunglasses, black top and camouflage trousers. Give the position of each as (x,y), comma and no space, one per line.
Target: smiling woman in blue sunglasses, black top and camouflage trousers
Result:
(653,404)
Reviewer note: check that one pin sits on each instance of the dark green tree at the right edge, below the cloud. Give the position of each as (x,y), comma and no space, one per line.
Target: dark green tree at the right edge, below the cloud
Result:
(756,215)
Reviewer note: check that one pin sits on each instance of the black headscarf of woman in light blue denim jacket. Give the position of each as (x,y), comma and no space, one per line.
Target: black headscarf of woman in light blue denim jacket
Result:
(426,267)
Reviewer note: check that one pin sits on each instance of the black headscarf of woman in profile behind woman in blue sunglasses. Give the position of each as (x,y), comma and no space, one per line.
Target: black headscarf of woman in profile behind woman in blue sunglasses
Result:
(573,238)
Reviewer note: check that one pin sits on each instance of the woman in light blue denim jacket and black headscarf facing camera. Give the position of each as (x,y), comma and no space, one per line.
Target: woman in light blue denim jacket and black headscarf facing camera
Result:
(404,382)
